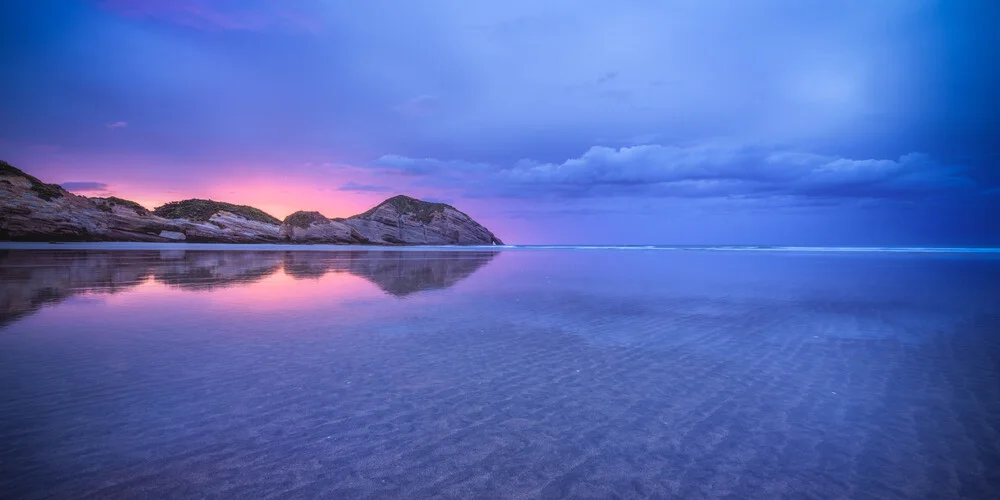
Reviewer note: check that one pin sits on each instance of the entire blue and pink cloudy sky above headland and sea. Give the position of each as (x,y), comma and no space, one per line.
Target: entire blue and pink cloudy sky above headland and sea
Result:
(762,122)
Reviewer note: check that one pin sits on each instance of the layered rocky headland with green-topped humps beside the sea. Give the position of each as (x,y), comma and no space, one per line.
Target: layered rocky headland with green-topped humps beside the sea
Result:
(31,210)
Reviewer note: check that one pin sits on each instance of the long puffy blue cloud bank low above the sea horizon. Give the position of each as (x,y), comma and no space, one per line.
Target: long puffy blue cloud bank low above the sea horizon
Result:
(710,171)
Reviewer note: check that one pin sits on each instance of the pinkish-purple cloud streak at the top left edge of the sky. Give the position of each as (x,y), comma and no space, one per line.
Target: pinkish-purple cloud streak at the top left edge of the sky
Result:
(218,16)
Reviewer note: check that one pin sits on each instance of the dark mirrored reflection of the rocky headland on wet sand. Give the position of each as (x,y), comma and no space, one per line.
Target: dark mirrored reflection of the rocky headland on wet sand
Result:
(31,279)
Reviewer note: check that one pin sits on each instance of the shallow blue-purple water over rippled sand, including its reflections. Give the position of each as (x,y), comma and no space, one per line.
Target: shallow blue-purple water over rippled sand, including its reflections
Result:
(570,373)
